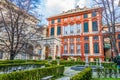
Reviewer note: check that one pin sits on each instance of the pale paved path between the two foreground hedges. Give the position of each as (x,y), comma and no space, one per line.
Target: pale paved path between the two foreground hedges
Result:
(68,73)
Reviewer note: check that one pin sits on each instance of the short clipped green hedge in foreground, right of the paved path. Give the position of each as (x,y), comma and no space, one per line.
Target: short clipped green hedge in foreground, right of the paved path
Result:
(86,74)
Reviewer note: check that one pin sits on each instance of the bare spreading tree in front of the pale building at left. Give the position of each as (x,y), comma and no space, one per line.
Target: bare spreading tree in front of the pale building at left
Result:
(16,25)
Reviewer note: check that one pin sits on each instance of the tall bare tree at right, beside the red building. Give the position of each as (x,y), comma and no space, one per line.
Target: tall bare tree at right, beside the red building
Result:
(111,16)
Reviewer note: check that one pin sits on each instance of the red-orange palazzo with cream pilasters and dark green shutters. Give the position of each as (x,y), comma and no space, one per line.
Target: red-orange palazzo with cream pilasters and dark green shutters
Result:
(79,31)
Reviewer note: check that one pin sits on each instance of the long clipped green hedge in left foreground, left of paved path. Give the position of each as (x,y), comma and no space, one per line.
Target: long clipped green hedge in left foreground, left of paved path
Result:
(35,74)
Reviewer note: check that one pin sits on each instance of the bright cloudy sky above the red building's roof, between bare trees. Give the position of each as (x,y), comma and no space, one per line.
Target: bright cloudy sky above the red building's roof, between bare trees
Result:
(49,8)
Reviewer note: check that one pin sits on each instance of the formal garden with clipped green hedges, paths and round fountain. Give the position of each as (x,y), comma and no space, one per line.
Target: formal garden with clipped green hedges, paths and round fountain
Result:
(58,69)
